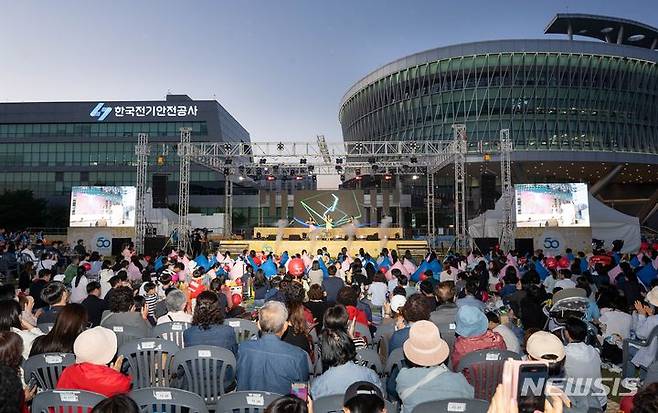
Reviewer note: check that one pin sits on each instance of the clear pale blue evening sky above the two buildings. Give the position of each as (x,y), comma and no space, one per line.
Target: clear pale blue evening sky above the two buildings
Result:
(279,66)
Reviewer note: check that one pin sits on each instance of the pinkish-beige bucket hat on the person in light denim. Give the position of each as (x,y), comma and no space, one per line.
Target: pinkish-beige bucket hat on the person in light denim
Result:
(425,347)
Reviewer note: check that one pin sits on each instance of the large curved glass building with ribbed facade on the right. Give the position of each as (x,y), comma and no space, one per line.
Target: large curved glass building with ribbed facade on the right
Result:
(583,106)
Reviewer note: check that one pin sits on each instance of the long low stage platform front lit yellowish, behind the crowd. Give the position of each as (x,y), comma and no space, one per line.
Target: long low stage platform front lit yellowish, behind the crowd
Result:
(417,247)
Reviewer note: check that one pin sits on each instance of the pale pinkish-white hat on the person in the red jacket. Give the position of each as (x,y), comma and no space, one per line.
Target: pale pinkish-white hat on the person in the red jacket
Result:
(97,345)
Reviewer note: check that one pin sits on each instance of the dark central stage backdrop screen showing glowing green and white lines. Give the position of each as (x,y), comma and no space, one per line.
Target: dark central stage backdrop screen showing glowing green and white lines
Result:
(339,207)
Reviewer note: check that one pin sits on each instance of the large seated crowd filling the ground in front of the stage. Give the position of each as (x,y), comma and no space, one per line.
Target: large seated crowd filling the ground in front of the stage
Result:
(325,309)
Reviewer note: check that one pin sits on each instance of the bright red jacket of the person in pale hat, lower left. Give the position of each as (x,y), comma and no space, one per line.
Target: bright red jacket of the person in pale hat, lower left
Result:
(94,378)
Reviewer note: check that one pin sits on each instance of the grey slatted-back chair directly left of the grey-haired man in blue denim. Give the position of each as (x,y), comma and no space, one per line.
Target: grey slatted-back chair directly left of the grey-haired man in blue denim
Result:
(206,371)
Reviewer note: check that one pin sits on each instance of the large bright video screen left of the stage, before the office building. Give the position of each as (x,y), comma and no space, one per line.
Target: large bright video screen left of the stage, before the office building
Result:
(103,206)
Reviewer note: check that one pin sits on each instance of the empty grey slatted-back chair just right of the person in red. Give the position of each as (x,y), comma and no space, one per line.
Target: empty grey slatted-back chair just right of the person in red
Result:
(149,361)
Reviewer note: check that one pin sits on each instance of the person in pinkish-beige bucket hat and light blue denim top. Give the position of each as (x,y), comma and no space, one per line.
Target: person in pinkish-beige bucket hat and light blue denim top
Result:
(426,376)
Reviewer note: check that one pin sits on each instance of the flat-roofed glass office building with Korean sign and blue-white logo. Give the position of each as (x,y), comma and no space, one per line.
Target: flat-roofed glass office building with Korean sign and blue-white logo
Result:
(51,146)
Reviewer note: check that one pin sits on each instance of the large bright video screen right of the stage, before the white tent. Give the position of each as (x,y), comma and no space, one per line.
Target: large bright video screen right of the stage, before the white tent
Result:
(552,205)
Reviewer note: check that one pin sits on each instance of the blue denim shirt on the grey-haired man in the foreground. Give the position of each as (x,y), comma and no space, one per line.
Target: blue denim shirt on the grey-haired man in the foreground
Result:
(269,364)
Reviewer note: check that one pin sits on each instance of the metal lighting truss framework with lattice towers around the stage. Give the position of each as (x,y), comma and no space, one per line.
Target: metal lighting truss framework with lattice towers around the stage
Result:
(241,162)
